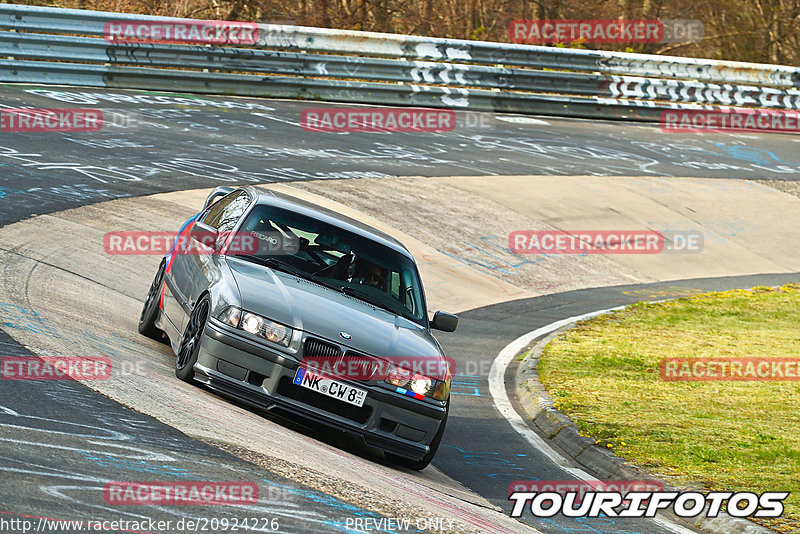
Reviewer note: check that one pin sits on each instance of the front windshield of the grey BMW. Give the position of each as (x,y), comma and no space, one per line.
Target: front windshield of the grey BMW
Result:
(332,256)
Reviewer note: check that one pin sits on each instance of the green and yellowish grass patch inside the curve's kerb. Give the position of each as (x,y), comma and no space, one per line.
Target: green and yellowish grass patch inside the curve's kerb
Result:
(727,436)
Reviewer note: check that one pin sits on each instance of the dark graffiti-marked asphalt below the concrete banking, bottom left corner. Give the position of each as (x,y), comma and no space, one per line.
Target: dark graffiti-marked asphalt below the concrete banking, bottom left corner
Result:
(62,442)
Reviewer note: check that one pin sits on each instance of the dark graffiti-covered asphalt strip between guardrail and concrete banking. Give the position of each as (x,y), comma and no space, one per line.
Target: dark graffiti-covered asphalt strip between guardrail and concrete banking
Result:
(153,142)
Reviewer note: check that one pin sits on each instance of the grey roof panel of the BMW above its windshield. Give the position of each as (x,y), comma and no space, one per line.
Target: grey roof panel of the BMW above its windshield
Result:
(270,197)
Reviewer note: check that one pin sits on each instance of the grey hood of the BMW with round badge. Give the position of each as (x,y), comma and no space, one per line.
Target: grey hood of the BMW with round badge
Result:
(325,313)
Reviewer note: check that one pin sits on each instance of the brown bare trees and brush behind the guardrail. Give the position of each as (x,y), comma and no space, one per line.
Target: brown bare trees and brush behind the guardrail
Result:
(764,31)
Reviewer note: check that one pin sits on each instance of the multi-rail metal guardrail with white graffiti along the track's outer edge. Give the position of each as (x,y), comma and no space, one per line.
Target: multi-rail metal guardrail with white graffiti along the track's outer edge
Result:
(60,46)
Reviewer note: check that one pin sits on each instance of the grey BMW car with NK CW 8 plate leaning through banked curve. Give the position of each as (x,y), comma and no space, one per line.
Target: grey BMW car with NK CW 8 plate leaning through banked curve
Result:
(293,308)
